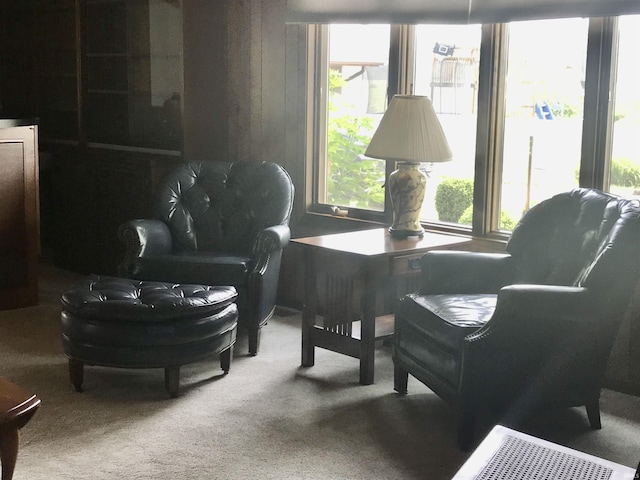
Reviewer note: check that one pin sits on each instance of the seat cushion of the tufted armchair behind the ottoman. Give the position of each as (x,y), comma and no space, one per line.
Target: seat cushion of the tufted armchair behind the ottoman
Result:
(192,267)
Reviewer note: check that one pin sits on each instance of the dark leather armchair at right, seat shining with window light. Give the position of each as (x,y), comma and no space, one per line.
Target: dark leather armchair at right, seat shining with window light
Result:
(506,333)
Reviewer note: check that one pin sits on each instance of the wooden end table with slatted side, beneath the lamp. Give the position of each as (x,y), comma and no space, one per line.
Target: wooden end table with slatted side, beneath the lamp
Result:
(344,274)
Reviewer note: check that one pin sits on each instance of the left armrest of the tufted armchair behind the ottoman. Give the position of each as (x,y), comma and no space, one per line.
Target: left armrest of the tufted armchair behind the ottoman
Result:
(143,237)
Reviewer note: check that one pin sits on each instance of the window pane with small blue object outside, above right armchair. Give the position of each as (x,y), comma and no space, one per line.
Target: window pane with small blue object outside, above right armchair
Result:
(543,113)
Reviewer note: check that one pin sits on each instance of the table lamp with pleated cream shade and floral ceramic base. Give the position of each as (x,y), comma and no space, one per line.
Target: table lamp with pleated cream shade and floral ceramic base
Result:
(409,134)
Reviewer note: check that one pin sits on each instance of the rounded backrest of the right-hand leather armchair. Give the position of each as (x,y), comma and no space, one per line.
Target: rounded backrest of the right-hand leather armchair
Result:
(584,237)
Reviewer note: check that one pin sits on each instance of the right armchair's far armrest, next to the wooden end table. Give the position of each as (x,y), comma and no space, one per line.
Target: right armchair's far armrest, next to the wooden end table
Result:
(452,271)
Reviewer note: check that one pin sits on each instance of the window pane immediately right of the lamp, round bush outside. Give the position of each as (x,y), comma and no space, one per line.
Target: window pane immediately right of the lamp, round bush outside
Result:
(446,70)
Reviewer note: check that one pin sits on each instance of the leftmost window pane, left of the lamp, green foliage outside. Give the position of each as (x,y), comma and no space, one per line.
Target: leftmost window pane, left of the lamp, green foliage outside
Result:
(356,82)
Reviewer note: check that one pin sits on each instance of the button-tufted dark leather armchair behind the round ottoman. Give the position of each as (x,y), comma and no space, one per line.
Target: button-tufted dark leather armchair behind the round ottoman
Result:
(217,223)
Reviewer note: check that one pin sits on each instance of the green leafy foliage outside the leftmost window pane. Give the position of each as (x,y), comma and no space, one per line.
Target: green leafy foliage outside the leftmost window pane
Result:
(353,180)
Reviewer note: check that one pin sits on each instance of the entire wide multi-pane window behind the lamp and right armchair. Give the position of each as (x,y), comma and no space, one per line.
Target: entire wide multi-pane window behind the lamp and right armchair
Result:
(511,99)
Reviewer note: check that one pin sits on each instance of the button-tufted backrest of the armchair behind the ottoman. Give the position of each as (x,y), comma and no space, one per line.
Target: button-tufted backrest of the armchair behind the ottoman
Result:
(222,206)
